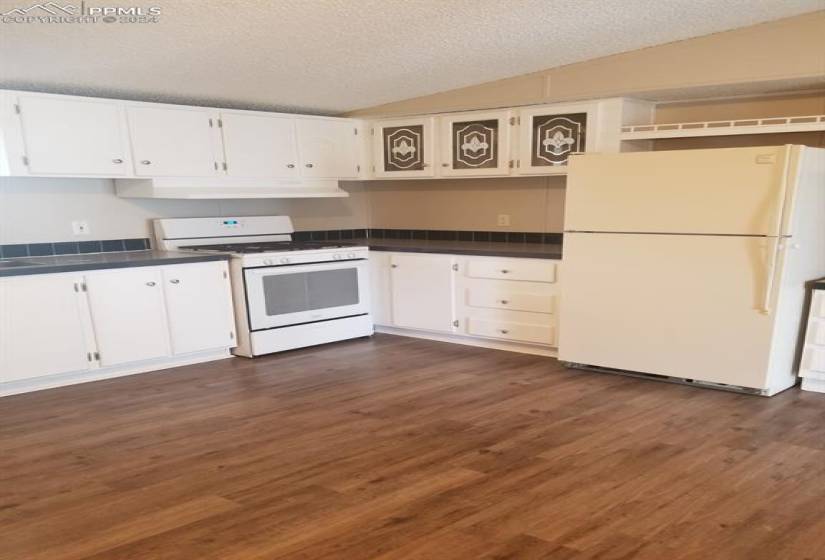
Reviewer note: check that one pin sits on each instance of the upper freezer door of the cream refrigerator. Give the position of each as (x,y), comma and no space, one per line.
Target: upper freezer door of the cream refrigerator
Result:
(735,191)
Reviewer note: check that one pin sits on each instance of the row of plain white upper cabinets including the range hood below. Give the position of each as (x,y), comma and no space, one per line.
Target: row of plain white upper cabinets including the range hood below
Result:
(178,151)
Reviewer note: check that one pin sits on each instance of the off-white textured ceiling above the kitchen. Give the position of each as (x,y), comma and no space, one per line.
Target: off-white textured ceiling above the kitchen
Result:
(330,56)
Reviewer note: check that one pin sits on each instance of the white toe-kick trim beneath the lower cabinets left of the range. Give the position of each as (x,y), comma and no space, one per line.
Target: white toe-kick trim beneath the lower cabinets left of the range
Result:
(63,379)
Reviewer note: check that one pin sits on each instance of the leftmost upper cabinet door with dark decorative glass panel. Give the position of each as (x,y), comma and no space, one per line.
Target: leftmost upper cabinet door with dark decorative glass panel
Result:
(403,147)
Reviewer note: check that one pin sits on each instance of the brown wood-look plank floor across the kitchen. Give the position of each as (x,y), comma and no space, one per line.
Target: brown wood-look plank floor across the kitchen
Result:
(394,448)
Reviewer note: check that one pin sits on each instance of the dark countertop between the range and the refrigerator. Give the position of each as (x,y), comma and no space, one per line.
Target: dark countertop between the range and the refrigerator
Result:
(489,249)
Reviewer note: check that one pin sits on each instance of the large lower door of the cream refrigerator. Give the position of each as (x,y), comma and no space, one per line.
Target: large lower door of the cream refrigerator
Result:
(681,306)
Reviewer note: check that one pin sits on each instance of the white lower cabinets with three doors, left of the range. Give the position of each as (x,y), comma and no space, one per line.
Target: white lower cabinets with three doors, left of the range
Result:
(116,321)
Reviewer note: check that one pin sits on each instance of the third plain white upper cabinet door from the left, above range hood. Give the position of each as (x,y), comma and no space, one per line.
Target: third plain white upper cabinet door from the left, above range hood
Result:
(259,146)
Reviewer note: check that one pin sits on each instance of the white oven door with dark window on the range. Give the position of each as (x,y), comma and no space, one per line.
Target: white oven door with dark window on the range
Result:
(278,296)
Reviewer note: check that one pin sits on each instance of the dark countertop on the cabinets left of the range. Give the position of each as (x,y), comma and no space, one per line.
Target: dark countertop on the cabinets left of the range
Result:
(95,261)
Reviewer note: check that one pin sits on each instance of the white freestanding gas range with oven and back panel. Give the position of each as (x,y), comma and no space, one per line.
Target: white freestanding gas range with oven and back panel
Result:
(287,294)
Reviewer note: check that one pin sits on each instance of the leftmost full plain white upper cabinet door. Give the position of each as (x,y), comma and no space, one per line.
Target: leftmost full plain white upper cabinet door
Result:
(66,136)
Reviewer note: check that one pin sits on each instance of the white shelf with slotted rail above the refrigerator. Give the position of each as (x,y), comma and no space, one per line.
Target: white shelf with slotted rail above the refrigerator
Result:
(724,128)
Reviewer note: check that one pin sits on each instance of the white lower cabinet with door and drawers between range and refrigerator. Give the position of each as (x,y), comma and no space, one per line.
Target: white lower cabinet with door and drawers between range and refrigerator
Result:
(512,300)
